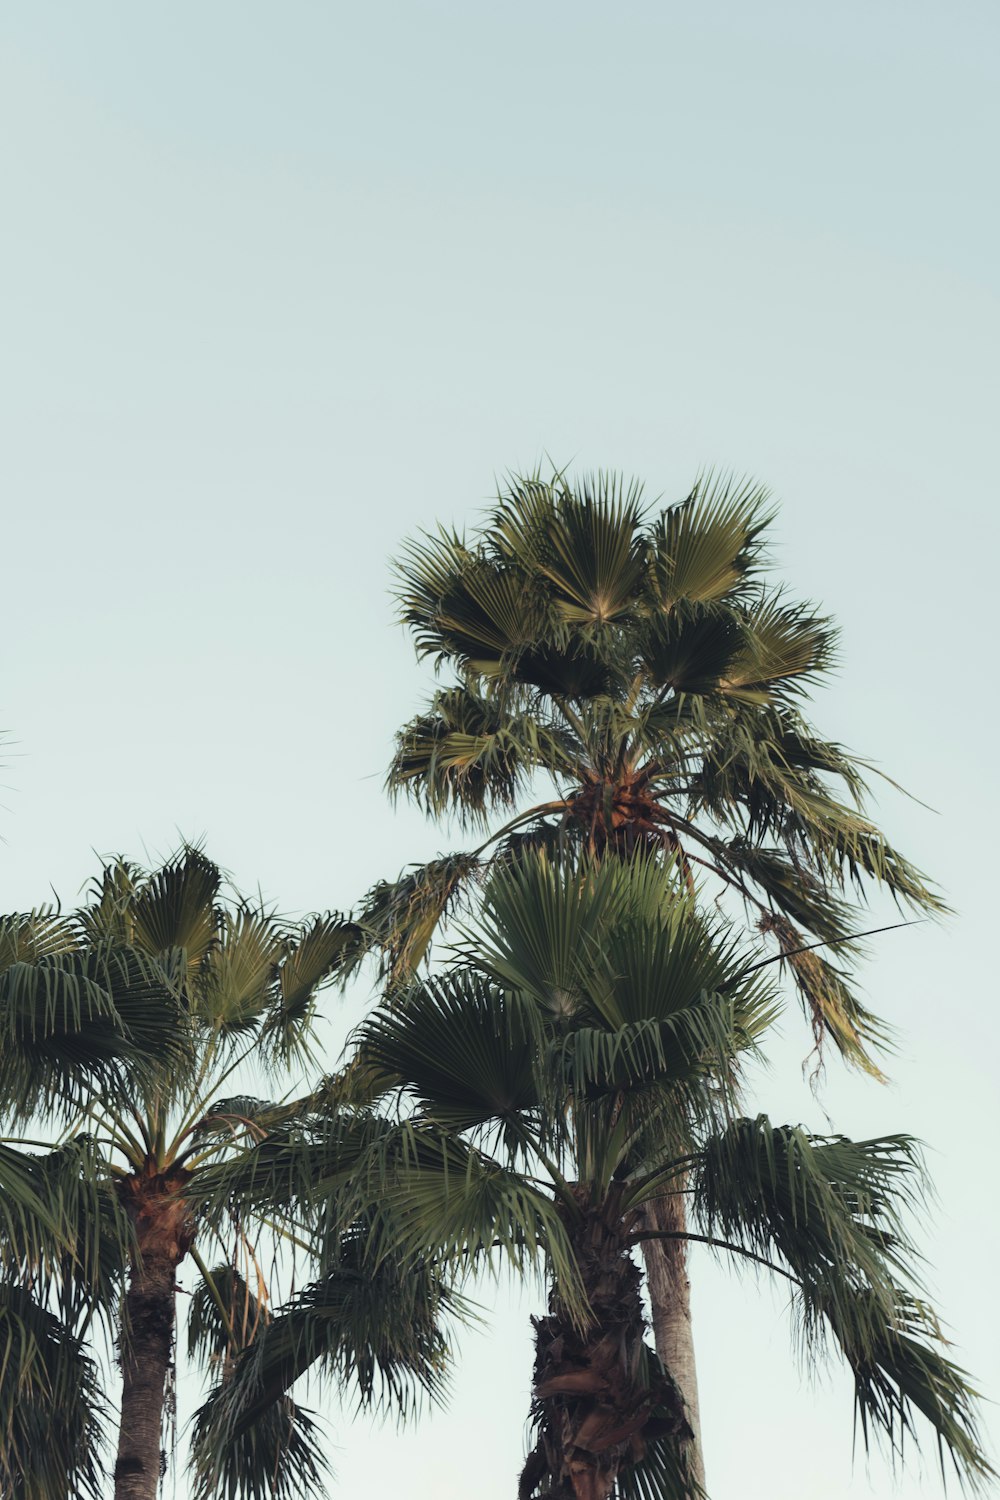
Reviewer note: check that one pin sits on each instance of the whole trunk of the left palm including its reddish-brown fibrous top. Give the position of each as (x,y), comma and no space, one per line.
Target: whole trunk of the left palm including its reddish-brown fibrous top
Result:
(163,1238)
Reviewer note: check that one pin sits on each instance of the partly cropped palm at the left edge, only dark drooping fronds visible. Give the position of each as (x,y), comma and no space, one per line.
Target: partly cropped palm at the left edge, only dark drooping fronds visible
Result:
(71,1024)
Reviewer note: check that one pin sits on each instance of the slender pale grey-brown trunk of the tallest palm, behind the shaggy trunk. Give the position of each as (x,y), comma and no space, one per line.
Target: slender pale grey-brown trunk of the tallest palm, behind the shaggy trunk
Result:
(671,1301)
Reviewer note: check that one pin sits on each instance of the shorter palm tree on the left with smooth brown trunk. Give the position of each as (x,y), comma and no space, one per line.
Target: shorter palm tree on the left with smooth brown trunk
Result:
(139,1183)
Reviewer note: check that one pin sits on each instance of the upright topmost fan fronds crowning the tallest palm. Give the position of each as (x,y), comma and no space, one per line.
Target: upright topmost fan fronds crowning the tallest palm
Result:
(555,560)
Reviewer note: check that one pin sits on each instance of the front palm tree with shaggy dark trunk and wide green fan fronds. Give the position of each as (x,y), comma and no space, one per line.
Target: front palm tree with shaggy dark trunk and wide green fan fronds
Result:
(578,1061)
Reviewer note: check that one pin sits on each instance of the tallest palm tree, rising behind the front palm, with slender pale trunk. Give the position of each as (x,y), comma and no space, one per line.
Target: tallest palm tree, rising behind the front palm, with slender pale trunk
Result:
(642,670)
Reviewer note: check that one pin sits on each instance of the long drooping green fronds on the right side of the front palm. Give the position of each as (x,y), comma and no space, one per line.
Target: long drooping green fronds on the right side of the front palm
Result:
(834,1213)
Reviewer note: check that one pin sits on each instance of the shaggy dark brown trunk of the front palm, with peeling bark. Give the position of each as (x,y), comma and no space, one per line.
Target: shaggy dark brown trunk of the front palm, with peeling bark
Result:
(597,1402)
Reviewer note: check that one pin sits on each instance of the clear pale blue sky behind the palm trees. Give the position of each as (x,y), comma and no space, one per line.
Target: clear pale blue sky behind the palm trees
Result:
(284,284)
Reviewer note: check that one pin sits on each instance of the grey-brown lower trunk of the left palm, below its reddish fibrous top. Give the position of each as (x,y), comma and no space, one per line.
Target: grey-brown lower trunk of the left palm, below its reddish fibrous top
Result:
(146,1355)
